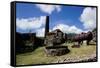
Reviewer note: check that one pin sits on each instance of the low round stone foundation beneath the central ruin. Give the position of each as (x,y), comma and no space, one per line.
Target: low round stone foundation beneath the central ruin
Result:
(56,50)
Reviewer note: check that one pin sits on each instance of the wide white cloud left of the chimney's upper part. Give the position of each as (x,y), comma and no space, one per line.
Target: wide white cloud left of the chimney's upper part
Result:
(30,23)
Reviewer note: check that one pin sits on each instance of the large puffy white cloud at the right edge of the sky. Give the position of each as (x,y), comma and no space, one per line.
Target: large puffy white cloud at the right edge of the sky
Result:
(88,18)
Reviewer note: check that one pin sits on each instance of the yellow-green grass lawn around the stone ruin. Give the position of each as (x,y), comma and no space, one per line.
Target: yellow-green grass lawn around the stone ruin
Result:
(39,57)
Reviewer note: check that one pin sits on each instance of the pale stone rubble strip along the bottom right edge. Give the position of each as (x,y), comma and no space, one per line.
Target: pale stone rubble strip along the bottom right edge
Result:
(77,59)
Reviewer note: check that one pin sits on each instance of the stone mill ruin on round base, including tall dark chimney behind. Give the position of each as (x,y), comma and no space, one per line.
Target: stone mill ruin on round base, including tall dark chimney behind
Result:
(53,41)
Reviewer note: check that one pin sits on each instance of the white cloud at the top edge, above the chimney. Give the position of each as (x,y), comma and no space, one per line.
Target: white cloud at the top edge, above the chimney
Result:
(49,8)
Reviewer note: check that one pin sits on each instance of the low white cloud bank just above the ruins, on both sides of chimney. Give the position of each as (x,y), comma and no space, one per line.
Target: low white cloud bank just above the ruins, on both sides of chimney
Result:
(63,27)
